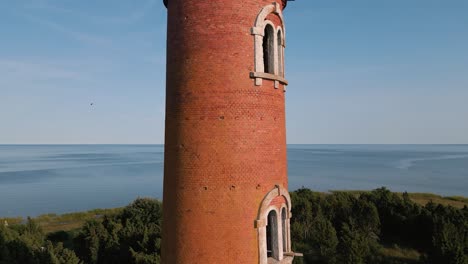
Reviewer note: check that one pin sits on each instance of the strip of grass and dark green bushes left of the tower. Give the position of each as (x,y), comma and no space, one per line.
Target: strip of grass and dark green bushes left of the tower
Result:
(127,235)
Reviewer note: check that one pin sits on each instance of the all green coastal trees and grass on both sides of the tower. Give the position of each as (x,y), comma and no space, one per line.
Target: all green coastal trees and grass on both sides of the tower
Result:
(376,226)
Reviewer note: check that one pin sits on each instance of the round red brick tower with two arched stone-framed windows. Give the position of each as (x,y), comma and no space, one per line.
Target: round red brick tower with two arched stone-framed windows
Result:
(225,170)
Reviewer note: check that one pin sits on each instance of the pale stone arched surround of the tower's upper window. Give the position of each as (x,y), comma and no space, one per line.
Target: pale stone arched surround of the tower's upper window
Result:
(258,32)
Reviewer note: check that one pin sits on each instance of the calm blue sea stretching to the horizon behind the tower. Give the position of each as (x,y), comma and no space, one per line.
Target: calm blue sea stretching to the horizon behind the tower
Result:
(38,179)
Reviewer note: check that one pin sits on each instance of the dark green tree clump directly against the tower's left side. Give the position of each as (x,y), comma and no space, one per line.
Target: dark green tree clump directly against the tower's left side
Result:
(132,236)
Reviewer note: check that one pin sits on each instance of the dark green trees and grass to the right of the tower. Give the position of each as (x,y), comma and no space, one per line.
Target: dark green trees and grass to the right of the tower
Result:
(378,227)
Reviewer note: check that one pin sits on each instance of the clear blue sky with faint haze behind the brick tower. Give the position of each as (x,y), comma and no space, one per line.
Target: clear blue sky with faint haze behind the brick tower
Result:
(359,71)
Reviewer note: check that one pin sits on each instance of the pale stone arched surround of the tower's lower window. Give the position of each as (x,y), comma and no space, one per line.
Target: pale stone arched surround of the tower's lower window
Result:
(262,220)
